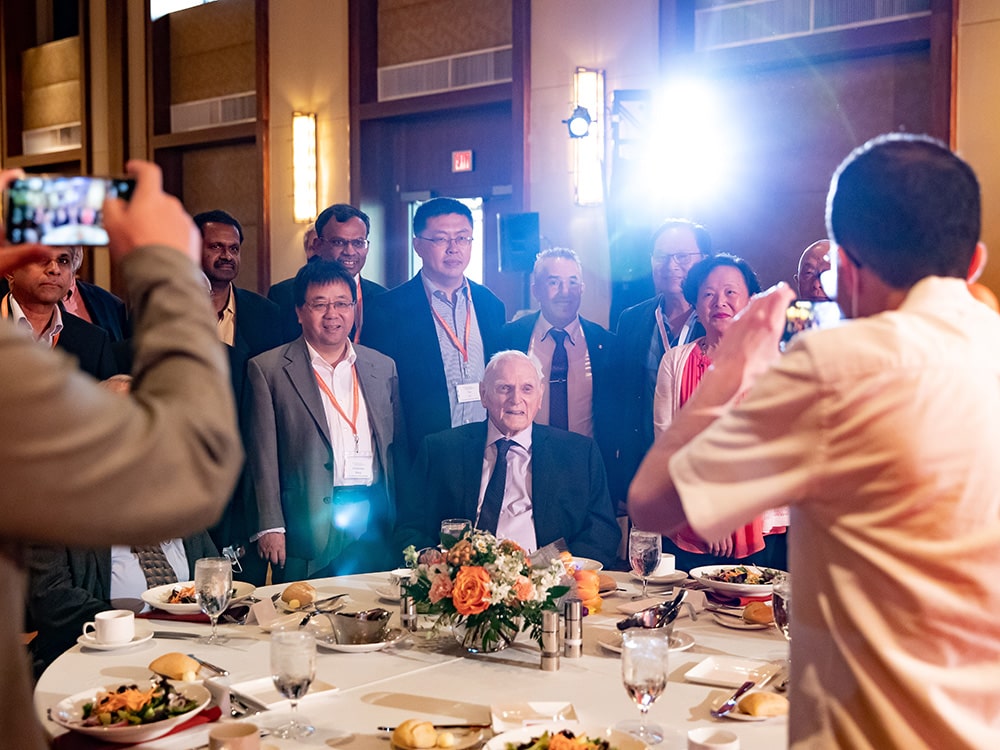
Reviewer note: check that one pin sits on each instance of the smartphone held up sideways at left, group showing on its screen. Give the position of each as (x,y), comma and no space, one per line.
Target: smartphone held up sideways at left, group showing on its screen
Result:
(61,210)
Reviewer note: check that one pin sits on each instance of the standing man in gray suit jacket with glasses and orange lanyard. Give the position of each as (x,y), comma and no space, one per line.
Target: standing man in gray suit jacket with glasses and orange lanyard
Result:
(324,431)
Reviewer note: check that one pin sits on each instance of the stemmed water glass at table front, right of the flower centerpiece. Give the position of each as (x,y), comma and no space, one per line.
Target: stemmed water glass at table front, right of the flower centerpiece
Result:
(644,673)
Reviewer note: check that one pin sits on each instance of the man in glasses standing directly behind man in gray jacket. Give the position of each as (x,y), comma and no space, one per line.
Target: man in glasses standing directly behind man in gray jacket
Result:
(341,234)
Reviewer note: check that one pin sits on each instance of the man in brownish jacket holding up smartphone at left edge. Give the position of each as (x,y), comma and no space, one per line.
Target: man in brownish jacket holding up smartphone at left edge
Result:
(90,468)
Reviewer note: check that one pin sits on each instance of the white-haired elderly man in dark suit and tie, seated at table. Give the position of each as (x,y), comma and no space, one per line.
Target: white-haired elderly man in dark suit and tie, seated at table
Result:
(522,481)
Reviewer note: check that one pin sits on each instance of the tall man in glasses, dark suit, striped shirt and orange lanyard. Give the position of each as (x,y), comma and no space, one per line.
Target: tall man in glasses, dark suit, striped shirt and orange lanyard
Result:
(439,327)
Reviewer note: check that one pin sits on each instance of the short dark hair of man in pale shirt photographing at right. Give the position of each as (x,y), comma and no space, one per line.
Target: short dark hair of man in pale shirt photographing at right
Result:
(907,207)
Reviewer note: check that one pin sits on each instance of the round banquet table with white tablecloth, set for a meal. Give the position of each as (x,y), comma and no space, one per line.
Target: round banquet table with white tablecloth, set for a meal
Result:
(432,679)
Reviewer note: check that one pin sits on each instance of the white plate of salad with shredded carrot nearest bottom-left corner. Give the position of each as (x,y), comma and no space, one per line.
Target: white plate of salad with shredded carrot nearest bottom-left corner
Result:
(128,713)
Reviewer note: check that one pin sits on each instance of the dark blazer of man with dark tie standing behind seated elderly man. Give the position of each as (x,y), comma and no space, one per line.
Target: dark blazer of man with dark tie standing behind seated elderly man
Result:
(604,401)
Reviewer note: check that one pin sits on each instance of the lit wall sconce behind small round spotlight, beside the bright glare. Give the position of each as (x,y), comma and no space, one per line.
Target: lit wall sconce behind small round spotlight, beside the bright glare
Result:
(588,120)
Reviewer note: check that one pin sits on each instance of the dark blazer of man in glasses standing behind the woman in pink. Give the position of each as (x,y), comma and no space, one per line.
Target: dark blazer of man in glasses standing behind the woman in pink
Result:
(636,326)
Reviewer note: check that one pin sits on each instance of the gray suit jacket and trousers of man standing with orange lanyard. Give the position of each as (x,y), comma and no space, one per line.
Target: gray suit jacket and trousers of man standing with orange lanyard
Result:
(290,457)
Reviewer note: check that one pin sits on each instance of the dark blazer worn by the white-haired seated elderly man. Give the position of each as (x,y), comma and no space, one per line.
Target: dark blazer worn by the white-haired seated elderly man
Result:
(569,491)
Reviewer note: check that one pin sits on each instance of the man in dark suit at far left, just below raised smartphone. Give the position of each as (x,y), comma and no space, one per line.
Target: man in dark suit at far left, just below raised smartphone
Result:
(33,303)
